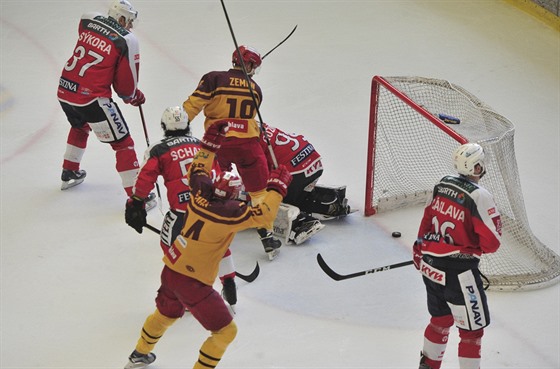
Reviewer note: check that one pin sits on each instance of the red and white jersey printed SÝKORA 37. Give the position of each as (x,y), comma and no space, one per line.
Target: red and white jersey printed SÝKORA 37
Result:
(105,55)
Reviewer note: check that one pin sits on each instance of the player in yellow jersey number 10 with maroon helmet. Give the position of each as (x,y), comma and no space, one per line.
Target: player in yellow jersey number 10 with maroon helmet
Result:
(227,94)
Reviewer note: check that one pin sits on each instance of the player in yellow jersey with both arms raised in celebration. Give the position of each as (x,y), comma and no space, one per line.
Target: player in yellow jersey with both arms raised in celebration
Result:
(192,261)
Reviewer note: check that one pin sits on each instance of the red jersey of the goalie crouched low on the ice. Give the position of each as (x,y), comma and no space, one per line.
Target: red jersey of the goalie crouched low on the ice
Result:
(291,150)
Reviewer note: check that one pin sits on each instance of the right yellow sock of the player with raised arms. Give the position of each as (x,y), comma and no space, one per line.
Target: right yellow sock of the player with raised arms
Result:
(214,347)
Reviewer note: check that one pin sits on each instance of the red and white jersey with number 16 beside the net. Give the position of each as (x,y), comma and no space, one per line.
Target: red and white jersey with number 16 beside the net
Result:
(460,217)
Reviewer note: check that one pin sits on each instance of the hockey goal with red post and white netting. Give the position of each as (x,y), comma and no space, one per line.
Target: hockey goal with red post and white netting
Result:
(410,148)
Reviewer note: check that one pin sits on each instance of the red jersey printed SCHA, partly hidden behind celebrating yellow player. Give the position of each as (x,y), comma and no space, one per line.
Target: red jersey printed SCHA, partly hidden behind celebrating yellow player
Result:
(171,158)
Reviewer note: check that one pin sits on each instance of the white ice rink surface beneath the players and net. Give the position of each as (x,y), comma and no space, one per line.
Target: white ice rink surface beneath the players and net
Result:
(77,282)
